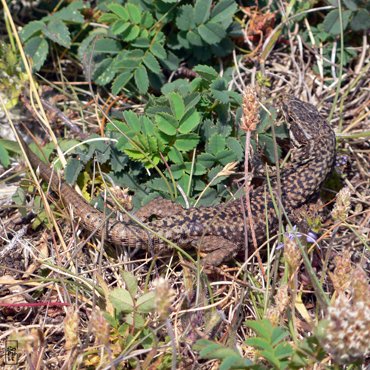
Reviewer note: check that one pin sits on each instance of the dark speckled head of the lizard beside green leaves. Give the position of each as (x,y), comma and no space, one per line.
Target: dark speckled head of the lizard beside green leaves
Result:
(304,121)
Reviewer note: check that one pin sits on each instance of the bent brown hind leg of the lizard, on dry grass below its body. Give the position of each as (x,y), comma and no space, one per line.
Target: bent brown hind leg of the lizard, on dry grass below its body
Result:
(216,248)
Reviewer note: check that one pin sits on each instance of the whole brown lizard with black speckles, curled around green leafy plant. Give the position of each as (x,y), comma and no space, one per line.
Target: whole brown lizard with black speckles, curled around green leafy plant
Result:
(217,231)
